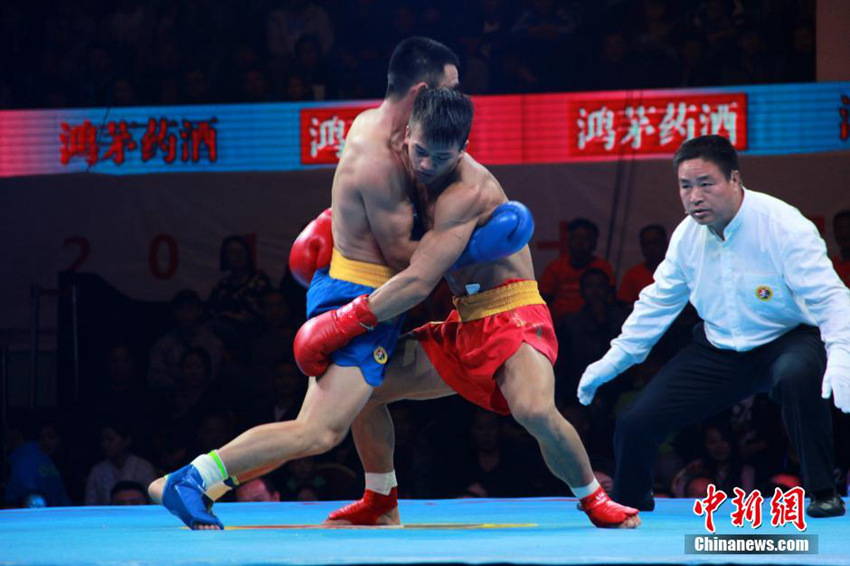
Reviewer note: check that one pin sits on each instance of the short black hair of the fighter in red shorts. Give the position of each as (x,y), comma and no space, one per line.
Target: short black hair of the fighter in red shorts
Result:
(443,116)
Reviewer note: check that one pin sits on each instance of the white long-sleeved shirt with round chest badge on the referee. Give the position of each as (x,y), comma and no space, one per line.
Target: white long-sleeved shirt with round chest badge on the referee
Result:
(770,274)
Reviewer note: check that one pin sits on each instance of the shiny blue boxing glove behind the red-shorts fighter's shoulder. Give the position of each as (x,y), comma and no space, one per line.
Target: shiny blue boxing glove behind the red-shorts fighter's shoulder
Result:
(507,232)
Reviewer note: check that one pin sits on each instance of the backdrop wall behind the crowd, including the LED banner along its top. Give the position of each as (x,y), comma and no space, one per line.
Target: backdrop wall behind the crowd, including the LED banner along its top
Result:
(144,196)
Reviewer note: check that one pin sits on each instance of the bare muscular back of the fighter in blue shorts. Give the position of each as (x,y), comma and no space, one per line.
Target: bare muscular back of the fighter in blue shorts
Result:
(372,212)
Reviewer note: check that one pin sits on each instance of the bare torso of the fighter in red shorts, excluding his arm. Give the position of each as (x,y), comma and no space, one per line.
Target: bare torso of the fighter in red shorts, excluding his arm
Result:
(470,173)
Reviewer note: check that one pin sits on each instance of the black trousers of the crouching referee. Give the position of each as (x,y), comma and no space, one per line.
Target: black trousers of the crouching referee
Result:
(703,380)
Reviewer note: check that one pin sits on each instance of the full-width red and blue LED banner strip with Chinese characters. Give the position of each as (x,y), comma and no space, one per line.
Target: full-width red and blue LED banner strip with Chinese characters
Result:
(514,129)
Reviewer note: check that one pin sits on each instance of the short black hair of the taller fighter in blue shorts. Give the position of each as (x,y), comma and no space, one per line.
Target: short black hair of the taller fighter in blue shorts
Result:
(417,59)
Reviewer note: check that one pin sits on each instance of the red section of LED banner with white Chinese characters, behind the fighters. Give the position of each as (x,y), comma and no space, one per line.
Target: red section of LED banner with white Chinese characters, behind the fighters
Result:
(553,128)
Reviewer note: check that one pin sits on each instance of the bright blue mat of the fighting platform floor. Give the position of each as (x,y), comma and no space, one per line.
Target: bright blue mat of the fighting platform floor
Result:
(460,531)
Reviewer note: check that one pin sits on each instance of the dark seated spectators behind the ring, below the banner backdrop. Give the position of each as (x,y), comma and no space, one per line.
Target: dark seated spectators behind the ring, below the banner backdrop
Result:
(226,365)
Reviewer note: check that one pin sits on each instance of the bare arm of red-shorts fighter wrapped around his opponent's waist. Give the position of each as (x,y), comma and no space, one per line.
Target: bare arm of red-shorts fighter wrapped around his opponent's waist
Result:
(455,217)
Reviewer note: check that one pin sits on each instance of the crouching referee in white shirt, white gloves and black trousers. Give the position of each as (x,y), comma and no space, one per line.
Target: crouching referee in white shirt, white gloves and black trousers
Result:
(757,272)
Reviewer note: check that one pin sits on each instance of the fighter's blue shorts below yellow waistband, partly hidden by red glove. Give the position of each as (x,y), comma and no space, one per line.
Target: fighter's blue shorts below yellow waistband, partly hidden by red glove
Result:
(370,351)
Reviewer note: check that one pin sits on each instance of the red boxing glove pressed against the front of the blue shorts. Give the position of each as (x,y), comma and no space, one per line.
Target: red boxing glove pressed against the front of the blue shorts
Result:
(322,335)
